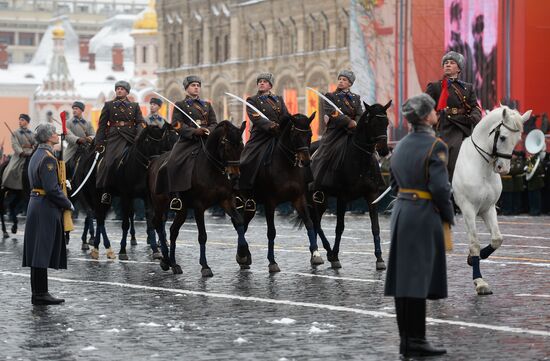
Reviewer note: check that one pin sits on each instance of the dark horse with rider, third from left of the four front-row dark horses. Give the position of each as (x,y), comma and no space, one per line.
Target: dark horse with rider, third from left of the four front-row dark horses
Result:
(284,179)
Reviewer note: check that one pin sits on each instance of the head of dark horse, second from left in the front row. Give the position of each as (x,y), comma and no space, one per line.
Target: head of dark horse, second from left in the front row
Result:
(228,142)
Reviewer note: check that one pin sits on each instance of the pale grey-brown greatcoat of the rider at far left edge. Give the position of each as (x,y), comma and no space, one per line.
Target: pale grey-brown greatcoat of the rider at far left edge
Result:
(22,142)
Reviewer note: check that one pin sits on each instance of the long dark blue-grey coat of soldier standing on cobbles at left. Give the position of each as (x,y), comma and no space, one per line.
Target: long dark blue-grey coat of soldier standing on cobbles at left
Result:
(44,241)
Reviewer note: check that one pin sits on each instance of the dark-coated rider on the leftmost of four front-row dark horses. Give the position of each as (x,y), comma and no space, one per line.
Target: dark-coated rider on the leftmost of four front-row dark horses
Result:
(119,122)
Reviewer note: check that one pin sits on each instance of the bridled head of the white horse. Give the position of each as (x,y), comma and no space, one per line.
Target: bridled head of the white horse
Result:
(506,127)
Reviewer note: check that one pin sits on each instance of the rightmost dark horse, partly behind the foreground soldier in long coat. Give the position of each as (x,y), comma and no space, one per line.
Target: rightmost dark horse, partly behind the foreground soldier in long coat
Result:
(359,176)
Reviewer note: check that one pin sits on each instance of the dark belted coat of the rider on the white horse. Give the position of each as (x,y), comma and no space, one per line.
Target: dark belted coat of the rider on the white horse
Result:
(453,128)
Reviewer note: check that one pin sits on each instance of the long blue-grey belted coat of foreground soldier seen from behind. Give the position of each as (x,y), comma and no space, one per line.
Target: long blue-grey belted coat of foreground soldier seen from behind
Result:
(417,266)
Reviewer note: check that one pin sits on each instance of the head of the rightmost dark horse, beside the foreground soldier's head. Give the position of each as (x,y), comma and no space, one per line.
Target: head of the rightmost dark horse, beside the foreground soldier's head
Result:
(373,127)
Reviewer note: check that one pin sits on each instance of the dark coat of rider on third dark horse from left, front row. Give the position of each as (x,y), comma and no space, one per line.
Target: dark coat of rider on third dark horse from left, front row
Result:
(257,151)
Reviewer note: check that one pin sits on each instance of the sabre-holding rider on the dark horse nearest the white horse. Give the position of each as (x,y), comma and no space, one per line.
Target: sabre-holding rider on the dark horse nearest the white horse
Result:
(329,157)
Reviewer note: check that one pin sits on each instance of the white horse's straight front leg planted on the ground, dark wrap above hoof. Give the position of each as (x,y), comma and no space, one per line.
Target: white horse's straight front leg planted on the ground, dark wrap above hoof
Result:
(469,214)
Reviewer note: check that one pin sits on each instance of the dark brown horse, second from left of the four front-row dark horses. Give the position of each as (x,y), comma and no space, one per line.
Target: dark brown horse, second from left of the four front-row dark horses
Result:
(216,165)
